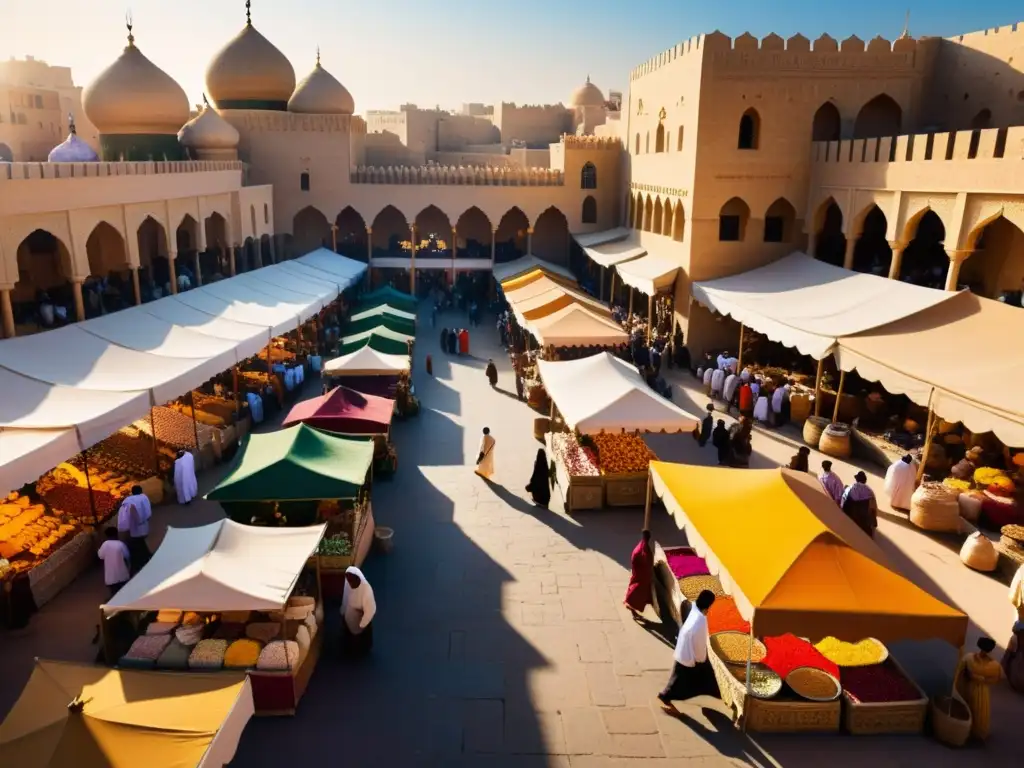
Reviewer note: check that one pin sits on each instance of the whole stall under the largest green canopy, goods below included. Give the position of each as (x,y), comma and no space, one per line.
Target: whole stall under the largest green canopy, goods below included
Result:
(300,477)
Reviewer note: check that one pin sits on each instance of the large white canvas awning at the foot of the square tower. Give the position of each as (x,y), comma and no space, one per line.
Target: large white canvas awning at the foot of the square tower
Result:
(805,304)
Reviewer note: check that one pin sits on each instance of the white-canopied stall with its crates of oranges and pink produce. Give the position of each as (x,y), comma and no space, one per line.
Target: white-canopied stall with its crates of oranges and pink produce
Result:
(606,406)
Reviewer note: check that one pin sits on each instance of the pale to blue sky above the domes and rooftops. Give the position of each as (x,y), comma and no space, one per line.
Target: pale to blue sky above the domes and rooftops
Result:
(451,52)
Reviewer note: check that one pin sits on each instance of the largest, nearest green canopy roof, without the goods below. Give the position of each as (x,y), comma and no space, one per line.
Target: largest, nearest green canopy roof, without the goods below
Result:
(301,463)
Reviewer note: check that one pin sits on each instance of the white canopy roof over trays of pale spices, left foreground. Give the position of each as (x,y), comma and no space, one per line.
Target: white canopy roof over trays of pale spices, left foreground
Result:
(221,567)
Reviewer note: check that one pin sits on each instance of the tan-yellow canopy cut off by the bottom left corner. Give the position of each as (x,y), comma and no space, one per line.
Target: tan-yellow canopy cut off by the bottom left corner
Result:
(83,716)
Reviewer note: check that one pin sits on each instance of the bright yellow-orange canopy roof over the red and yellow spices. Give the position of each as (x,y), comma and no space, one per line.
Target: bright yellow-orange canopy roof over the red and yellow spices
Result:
(794,562)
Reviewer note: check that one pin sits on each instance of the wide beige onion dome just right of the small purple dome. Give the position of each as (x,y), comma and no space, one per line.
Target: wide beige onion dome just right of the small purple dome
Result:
(136,97)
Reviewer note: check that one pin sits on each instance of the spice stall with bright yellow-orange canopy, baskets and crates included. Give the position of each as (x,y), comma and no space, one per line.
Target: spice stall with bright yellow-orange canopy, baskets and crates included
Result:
(793,570)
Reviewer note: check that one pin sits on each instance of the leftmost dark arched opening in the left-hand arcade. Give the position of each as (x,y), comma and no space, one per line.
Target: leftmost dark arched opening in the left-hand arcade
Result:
(42,297)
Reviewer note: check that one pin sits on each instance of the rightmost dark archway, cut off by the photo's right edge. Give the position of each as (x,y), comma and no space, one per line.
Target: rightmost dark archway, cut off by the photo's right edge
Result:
(996,270)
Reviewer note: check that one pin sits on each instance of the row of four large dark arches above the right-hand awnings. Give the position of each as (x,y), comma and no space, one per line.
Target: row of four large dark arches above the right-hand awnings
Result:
(992,266)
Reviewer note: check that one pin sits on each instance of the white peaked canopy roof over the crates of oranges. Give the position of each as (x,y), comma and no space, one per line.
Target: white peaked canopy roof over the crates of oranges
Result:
(605,394)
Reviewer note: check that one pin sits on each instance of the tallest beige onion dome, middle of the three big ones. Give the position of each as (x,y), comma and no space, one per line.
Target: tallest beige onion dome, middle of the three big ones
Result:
(250,73)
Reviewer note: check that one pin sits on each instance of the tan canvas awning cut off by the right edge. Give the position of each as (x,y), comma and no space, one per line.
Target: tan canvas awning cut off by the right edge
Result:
(916,356)
